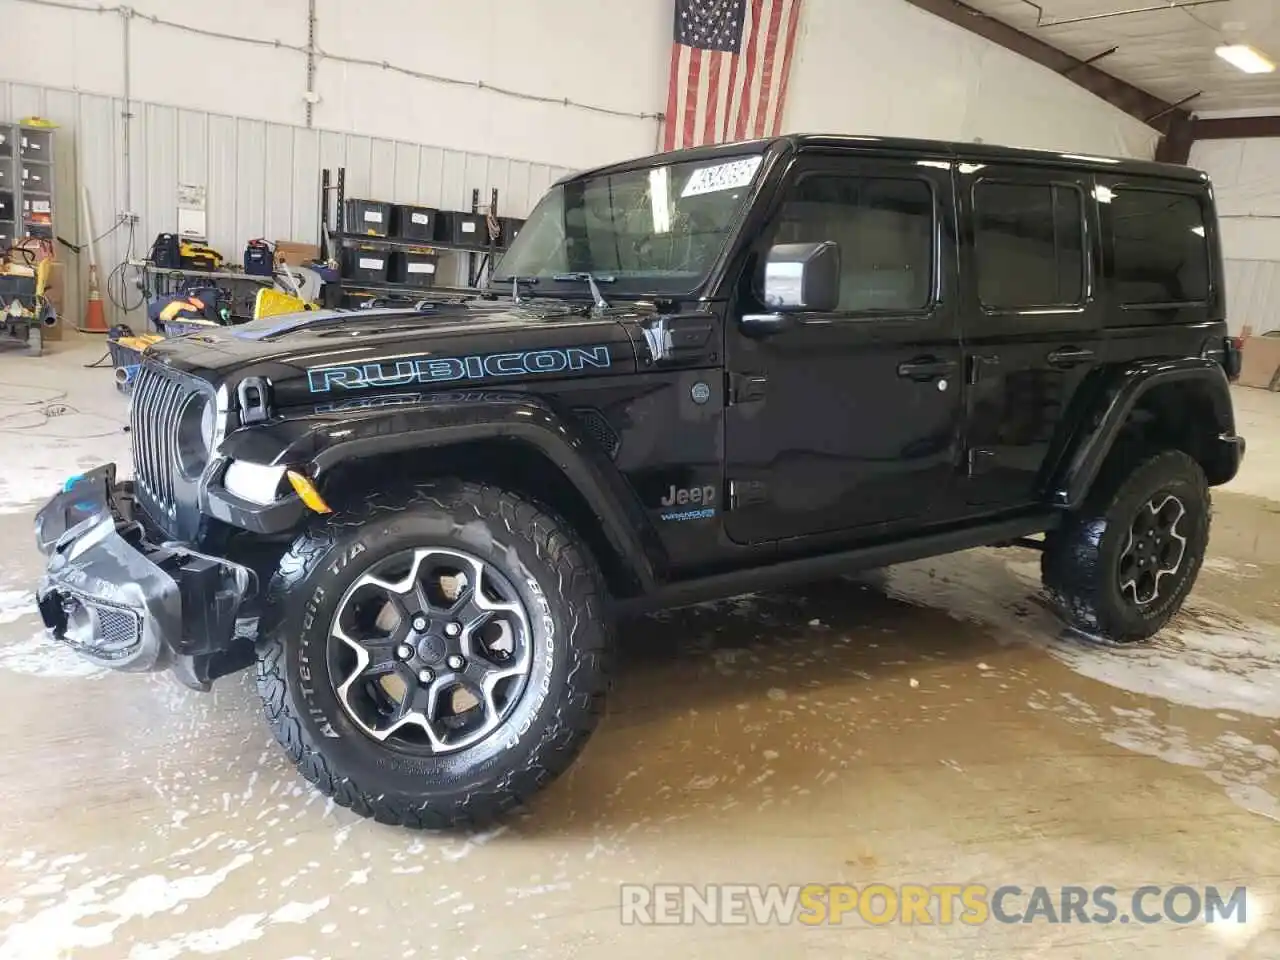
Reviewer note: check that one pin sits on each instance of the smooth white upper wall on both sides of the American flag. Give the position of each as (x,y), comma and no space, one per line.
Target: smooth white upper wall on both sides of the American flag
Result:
(861,67)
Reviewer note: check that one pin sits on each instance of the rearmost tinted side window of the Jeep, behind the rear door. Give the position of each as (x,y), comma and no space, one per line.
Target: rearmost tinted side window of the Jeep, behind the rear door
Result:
(1162,255)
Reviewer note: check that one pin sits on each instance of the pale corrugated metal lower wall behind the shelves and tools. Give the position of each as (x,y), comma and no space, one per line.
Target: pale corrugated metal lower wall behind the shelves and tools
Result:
(263,180)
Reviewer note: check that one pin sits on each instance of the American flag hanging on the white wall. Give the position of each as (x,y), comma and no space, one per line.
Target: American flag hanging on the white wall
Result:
(730,65)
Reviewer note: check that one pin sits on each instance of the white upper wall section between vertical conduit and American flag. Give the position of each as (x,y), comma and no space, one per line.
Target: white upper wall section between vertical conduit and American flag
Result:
(606,53)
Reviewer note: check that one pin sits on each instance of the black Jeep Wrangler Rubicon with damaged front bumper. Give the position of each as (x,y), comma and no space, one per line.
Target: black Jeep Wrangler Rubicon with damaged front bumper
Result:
(720,371)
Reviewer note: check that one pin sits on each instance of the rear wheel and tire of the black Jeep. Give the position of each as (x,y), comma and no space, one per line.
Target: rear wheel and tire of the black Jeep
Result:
(1122,566)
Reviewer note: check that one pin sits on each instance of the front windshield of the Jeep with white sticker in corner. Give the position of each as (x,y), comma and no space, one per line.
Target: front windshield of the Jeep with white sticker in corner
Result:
(655,231)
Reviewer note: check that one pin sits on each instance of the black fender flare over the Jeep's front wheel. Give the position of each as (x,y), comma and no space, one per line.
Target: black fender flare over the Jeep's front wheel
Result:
(376,427)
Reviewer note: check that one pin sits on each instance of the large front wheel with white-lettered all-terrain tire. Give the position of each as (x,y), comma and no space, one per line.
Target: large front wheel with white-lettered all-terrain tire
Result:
(360,612)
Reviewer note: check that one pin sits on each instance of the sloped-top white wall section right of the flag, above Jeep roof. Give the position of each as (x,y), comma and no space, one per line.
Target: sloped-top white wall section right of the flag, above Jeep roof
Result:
(884,67)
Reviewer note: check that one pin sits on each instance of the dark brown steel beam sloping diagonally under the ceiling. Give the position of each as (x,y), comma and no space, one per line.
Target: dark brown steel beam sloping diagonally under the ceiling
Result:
(1135,102)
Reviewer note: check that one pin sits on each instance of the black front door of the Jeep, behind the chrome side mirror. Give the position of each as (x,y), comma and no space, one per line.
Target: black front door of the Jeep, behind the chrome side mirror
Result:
(851,422)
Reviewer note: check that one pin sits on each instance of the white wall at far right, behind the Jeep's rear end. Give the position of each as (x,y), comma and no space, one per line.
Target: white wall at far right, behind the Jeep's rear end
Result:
(1246,176)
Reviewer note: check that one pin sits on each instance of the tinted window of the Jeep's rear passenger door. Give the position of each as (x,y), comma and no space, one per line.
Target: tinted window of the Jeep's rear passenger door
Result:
(1030,245)
